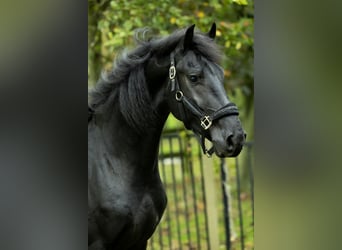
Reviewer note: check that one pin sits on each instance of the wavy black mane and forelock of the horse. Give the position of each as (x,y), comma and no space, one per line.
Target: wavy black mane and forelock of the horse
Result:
(125,85)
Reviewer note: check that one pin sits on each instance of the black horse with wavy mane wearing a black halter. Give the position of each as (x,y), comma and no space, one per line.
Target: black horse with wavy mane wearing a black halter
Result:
(128,108)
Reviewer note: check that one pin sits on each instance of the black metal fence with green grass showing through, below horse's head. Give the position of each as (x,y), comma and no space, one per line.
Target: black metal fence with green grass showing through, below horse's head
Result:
(210,200)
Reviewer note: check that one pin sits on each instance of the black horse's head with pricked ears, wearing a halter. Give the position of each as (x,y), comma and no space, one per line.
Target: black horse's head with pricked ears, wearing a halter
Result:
(197,97)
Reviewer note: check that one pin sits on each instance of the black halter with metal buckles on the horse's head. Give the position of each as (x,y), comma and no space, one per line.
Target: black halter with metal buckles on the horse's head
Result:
(205,119)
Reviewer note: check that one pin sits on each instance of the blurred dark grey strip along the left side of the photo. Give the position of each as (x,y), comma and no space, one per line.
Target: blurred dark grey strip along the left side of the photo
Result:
(43,125)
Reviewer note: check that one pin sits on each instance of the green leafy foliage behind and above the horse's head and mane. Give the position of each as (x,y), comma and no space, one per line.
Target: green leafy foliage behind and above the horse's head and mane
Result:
(112,24)
